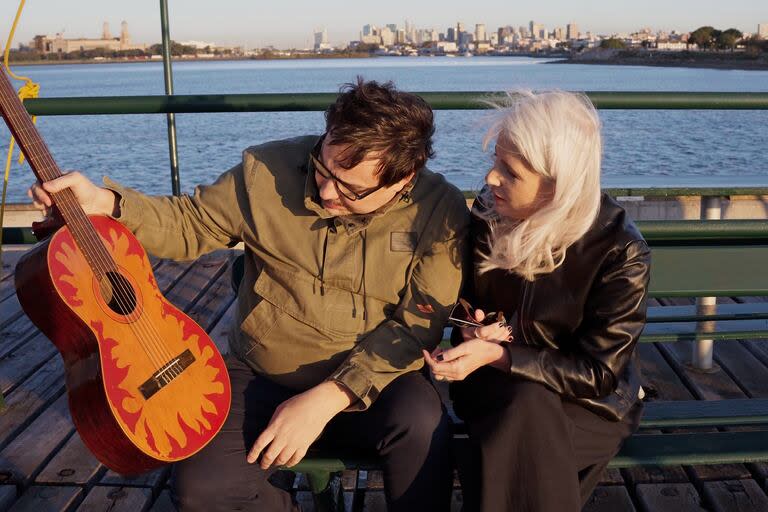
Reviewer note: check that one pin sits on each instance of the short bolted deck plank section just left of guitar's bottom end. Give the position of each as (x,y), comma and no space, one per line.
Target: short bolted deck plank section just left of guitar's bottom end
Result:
(73,464)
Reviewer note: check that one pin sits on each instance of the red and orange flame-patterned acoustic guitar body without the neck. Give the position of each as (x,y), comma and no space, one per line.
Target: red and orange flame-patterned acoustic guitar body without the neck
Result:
(146,384)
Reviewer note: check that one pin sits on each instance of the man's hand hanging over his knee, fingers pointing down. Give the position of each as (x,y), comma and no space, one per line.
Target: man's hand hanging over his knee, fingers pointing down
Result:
(297,423)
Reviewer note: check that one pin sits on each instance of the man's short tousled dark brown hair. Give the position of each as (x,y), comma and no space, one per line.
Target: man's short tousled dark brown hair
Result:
(373,117)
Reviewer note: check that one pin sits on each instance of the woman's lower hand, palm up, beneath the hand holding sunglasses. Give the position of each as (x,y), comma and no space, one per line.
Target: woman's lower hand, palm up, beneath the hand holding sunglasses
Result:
(458,362)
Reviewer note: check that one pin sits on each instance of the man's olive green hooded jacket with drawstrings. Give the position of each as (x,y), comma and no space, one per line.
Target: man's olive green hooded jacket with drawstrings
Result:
(352,299)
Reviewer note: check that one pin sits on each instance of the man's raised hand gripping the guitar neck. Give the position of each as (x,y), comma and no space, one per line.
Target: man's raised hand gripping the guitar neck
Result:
(94,200)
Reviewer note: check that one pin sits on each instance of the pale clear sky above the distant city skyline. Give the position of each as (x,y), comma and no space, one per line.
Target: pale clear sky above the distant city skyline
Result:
(289,24)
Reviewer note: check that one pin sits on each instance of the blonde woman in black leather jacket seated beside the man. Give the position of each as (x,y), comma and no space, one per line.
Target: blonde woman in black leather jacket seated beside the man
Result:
(549,396)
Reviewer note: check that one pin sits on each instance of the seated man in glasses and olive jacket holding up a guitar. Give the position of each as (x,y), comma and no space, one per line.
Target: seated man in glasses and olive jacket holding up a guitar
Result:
(353,254)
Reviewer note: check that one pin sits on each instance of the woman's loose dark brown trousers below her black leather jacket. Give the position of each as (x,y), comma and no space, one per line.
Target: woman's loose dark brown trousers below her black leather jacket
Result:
(530,450)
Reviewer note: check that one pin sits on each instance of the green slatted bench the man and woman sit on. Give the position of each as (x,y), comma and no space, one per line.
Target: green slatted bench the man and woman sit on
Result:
(689,259)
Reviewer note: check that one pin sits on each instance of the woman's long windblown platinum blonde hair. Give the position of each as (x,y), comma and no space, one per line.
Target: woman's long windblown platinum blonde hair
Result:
(557,134)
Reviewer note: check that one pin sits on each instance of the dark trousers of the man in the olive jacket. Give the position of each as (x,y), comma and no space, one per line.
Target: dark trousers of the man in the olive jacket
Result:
(407,427)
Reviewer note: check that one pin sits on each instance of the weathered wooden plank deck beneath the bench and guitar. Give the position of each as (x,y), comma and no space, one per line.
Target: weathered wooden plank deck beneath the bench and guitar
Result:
(44,465)
